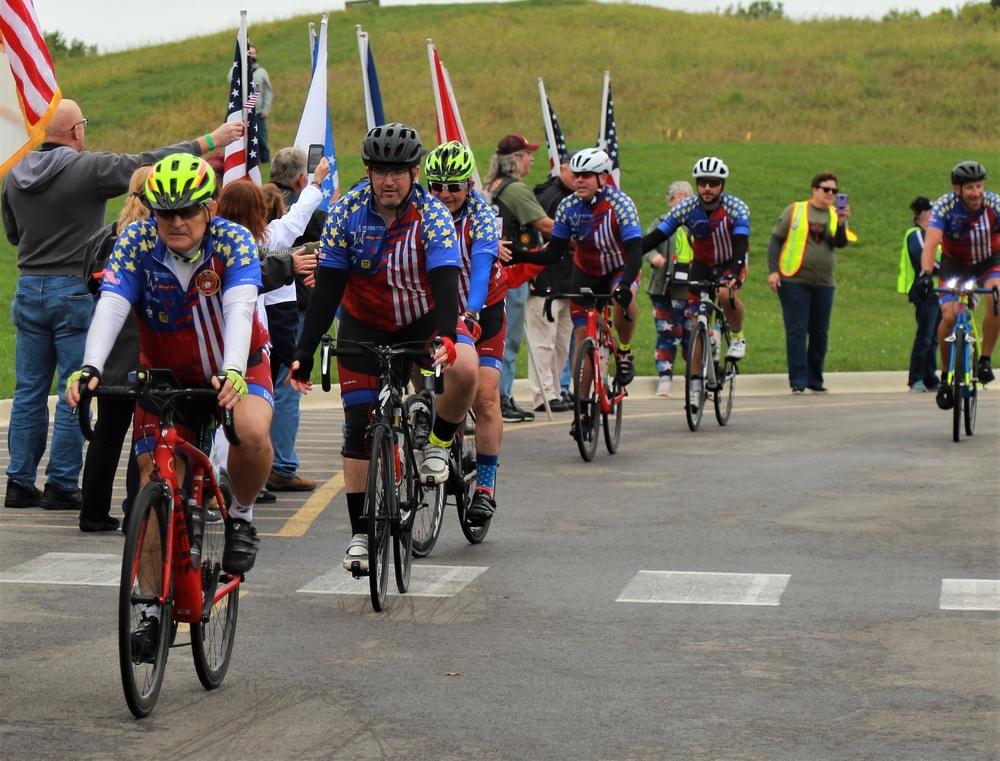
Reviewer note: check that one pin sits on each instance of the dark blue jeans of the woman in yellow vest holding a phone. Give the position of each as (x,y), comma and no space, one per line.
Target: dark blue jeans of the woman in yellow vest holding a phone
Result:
(806,309)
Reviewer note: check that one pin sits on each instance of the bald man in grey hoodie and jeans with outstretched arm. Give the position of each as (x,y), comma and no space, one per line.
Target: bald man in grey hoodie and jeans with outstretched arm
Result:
(52,202)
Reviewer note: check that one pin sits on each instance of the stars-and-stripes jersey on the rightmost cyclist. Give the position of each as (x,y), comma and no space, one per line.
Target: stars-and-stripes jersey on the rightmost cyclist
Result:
(969,236)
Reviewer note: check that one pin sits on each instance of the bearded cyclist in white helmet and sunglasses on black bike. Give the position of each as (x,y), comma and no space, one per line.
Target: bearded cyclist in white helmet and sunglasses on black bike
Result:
(719,227)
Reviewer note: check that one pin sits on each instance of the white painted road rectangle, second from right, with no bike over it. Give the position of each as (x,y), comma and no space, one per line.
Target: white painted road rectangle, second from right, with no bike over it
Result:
(687,588)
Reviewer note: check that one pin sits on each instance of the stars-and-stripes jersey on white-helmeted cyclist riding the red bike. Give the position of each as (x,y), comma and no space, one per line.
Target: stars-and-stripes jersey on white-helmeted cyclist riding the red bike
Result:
(599,227)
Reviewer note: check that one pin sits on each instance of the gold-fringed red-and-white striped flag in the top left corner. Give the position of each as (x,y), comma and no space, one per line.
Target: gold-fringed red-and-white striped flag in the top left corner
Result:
(28,90)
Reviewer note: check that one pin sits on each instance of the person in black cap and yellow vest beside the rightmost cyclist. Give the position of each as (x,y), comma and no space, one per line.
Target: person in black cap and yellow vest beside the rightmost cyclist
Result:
(923,357)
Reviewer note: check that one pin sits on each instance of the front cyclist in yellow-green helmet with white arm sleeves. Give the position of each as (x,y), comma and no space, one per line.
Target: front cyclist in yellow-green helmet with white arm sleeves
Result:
(192,279)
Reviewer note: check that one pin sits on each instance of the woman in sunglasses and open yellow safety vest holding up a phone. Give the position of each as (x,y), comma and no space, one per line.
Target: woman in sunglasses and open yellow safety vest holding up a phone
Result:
(801,259)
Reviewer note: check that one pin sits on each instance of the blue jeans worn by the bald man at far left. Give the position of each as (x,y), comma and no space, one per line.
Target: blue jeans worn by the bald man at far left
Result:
(51,314)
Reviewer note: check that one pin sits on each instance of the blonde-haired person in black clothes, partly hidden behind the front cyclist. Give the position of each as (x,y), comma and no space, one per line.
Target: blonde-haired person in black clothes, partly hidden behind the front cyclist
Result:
(114,416)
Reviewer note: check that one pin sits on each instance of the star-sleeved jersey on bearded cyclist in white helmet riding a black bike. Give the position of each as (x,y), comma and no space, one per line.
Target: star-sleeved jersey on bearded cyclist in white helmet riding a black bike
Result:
(711,234)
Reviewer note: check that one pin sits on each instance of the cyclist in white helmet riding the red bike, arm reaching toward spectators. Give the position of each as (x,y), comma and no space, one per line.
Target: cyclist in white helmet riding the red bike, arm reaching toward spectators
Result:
(605,225)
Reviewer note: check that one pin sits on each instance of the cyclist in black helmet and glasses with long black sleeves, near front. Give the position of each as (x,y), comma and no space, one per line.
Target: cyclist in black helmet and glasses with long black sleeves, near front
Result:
(389,255)
